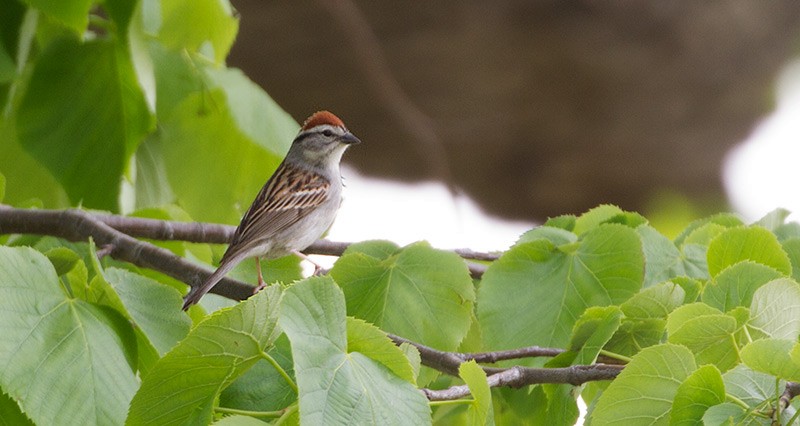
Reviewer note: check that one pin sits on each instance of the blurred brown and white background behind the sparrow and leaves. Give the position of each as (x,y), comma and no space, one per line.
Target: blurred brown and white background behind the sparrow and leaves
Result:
(530,109)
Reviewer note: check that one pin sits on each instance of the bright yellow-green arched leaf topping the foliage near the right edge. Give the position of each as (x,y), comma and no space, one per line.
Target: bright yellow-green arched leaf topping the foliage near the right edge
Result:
(753,243)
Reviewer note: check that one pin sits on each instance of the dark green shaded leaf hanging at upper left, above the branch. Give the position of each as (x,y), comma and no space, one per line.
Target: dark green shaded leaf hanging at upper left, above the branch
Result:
(84,147)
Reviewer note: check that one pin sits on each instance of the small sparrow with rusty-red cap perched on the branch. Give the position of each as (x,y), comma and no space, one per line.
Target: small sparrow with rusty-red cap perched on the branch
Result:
(296,205)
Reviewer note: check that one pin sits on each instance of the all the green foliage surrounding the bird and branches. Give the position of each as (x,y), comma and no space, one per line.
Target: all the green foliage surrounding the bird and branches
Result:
(128,107)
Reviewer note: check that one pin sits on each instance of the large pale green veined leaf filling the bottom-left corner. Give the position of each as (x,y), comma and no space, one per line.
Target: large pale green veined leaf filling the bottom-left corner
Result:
(67,361)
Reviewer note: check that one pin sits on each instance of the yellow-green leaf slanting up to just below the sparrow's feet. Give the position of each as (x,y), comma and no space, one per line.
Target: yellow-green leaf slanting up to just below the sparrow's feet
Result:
(184,384)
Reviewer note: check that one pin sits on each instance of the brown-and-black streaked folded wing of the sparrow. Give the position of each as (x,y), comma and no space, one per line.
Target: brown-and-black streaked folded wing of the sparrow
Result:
(288,196)
